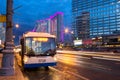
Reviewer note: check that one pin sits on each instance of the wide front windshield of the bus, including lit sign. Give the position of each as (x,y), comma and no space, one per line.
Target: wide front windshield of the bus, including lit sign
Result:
(40,46)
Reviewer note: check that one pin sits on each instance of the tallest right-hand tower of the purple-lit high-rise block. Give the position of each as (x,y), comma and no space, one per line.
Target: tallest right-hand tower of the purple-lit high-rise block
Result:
(56,27)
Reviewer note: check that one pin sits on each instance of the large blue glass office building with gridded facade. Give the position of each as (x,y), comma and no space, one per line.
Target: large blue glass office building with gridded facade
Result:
(94,18)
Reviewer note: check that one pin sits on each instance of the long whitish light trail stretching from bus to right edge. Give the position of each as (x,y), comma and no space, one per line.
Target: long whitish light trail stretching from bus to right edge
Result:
(97,55)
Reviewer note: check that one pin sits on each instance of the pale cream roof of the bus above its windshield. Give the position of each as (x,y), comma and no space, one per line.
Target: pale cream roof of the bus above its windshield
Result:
(38,34)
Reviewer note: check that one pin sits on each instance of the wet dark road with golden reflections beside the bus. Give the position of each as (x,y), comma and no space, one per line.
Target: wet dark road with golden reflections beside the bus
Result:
(74,67)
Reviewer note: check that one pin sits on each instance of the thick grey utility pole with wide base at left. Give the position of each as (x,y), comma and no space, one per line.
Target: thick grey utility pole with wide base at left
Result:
(8,53)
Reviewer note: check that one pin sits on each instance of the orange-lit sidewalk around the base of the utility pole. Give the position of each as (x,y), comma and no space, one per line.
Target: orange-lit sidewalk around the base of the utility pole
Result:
(18,74)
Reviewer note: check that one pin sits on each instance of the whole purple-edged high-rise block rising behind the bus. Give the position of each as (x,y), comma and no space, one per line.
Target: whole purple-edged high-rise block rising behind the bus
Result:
(52,25)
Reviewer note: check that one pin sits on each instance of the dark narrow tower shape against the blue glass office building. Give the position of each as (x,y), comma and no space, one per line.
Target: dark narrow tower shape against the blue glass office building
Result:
(82,23)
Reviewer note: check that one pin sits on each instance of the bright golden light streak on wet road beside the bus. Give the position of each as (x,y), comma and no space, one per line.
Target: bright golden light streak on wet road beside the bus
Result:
(76,61)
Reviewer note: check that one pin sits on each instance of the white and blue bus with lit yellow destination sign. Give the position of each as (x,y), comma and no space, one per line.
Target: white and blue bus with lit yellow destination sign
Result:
(38,50)
